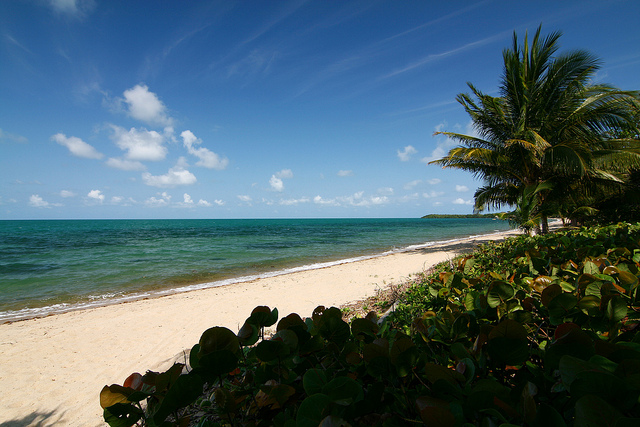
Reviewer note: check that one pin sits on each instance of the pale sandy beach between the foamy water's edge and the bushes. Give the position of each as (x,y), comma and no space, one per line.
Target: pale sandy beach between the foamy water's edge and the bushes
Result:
(53,368)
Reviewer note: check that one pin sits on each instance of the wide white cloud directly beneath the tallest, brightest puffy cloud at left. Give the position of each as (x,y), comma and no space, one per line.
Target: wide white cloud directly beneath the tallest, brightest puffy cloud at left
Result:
(140,144)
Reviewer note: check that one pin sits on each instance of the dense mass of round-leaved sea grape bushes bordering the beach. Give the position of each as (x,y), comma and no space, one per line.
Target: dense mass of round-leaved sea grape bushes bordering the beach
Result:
(537,331)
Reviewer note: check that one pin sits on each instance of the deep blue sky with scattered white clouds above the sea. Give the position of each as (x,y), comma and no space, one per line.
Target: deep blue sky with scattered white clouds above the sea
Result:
(260,109)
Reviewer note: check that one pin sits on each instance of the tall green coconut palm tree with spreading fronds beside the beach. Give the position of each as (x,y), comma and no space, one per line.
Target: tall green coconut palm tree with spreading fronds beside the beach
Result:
(549,125)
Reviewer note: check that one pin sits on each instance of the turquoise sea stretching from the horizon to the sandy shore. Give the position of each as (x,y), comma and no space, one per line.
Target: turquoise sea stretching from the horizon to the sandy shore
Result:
(55,266)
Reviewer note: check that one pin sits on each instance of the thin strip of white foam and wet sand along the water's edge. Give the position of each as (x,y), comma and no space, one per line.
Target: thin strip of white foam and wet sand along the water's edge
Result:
(12,316)
